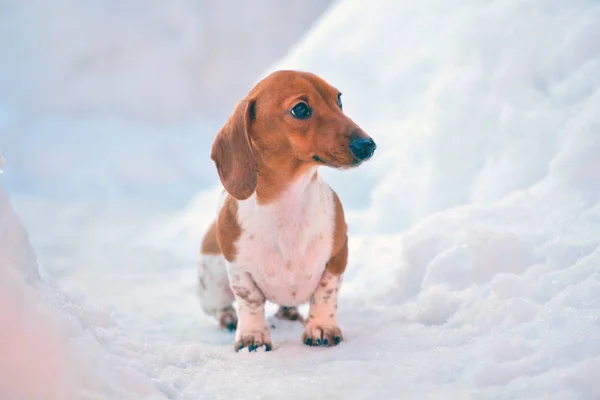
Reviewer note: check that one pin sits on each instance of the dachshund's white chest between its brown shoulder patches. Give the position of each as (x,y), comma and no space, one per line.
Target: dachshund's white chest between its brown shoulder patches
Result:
(286,244)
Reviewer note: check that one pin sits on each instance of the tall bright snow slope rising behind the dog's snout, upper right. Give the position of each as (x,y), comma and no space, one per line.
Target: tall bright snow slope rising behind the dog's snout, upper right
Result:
(468,101)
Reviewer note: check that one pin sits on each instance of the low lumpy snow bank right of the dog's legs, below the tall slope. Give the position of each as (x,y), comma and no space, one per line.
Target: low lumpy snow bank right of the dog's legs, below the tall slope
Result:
(503,297)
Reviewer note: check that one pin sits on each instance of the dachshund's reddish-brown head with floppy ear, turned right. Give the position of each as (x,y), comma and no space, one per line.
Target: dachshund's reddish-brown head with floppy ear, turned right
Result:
(290,118)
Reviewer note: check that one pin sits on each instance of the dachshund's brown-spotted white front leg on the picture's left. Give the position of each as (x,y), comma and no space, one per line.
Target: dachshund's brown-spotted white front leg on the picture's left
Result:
(252,331)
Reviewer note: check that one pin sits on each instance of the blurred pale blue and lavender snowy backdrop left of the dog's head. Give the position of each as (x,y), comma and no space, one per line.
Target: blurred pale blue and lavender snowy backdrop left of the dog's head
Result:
(104,100)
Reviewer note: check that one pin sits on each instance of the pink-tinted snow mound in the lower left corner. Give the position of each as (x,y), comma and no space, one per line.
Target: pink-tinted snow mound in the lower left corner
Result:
(52,347)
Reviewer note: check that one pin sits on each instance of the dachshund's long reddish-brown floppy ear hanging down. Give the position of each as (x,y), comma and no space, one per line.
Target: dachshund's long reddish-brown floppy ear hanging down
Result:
(233,154)
